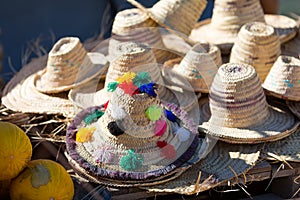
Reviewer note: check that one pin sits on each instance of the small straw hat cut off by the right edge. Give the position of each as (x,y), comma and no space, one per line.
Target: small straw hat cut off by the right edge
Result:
(283,80)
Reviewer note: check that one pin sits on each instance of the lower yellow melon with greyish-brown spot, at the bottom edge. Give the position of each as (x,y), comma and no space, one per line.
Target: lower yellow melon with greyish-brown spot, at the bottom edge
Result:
(42,179)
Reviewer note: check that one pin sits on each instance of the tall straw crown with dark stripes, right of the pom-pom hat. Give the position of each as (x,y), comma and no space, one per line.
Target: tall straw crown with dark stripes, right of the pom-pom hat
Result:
(236,97)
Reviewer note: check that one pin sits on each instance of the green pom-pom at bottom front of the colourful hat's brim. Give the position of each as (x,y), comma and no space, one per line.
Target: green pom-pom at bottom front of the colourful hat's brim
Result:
(131,161)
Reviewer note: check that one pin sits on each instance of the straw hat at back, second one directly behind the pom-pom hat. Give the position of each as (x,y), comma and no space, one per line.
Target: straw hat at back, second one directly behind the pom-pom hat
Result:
(134,25)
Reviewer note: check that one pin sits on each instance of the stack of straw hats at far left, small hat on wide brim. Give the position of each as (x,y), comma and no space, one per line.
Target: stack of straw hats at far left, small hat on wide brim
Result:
(42,85)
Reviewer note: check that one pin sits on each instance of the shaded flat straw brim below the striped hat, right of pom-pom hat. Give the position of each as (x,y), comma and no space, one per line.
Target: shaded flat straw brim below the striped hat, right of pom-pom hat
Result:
(224,162)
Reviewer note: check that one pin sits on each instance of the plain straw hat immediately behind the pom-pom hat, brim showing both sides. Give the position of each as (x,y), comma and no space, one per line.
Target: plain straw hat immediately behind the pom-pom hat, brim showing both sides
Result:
(133,56)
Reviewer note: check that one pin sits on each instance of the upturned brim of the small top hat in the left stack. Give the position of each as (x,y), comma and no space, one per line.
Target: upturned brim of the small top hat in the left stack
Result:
(97,69)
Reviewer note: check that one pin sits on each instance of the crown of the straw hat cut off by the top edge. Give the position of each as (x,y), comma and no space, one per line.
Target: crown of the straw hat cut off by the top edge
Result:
(232,14)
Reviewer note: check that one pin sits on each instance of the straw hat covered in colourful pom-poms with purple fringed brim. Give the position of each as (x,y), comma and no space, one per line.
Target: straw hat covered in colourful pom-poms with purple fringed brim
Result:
(134,139)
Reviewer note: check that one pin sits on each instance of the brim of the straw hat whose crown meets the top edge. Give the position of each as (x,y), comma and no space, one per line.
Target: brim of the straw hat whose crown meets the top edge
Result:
(285,27)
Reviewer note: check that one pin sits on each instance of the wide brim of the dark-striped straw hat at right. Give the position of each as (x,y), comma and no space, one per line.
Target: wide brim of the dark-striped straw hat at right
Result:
(279,124)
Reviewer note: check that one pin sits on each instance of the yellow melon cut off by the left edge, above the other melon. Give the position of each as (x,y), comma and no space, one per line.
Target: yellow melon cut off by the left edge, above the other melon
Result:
(15,150)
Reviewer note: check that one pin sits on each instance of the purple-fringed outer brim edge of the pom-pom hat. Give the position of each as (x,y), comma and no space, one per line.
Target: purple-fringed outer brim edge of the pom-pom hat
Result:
(80,155)
